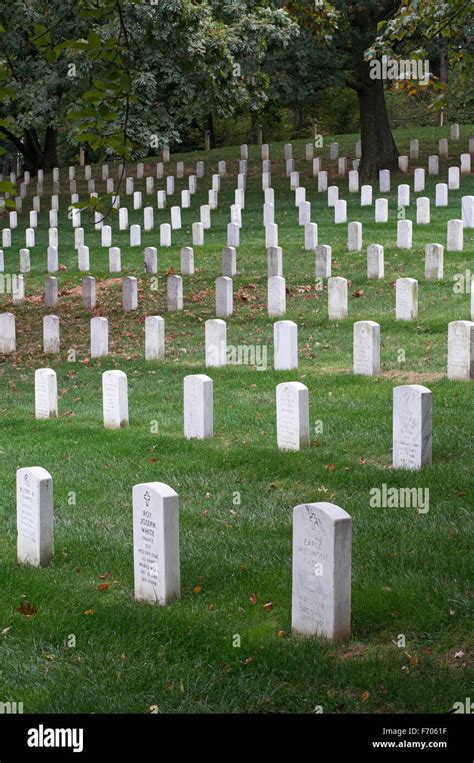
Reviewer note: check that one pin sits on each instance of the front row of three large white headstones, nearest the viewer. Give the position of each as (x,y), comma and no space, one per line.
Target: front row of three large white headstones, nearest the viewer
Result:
(322,550)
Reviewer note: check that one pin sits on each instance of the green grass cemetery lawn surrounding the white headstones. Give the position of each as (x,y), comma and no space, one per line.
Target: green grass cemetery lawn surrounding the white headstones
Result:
(72,637)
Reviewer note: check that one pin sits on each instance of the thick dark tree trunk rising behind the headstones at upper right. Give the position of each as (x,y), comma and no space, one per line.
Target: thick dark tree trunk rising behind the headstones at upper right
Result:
(379,151)
